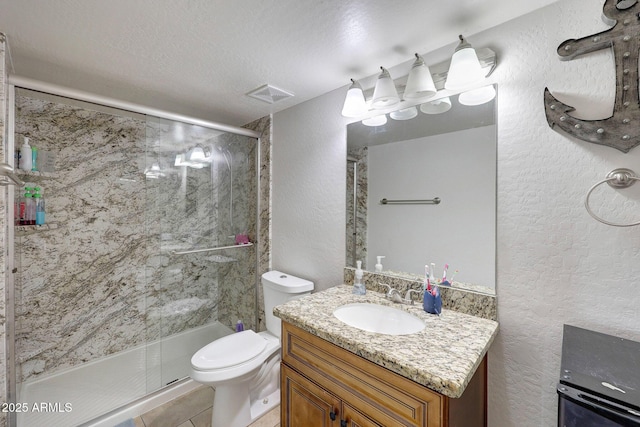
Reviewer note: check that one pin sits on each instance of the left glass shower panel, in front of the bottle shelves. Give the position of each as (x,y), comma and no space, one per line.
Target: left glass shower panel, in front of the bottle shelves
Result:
(79,289)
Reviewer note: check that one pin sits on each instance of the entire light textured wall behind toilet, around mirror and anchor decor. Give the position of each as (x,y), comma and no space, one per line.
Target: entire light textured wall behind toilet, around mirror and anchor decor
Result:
(556,264)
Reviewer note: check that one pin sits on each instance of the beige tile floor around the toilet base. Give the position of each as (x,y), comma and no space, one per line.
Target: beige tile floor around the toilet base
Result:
(194,410)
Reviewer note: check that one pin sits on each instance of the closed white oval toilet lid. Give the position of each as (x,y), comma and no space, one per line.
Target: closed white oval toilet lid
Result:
(229,351)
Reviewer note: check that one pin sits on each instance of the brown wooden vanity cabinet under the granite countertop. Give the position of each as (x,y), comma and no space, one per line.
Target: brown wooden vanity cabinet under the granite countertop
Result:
(323,385)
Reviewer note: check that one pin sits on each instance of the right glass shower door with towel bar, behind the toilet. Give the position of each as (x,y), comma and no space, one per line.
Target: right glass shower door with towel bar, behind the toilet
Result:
(197,190)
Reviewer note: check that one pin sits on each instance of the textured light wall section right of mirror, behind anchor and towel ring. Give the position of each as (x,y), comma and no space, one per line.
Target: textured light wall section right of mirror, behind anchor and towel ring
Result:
(556,264)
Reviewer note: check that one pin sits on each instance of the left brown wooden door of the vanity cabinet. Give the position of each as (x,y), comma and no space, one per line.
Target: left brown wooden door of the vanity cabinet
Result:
(304,404)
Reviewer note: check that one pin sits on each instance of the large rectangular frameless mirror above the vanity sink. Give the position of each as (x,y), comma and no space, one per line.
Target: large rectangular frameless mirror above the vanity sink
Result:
(450,156)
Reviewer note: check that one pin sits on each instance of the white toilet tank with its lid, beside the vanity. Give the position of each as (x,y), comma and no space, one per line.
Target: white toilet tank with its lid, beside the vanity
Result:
(278,288)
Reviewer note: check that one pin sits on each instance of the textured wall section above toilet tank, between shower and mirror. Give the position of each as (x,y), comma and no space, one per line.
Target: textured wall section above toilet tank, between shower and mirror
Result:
(309,169)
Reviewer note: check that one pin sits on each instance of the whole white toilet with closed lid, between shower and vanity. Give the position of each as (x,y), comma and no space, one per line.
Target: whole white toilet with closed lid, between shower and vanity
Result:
(244,367)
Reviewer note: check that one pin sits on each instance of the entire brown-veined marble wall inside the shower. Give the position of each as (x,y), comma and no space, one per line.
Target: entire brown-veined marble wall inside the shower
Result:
(103,279)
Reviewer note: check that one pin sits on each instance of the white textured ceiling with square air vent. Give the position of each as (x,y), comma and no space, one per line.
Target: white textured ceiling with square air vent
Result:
(200,57)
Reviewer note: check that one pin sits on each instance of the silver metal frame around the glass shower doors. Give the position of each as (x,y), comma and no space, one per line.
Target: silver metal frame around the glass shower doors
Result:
(14,82)
